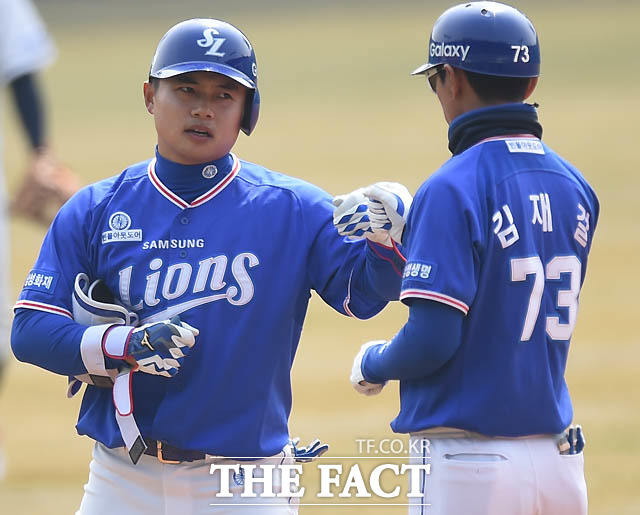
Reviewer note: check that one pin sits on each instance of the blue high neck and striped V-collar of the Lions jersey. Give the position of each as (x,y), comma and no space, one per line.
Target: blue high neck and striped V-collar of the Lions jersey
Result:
(189,186)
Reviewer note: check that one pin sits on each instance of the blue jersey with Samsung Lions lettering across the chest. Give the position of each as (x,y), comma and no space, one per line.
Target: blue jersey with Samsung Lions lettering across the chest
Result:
(239,263)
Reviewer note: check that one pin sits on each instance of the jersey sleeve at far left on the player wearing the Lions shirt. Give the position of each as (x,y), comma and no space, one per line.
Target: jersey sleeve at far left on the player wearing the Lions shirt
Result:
(65,252)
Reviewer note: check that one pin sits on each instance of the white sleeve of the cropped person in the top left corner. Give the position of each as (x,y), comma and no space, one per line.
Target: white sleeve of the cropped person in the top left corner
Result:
(25,46)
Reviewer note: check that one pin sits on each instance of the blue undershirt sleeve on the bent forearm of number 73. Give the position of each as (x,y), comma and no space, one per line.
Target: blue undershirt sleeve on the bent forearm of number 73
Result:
(427,341)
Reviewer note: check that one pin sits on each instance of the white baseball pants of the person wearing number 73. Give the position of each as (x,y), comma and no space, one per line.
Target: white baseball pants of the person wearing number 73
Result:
(475,475)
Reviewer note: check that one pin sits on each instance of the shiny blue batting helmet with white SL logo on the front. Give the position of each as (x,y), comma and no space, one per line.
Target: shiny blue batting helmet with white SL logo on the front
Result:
(209,45)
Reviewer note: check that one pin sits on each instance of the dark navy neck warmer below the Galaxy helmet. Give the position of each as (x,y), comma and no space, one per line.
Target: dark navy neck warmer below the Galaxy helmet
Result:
(488,122)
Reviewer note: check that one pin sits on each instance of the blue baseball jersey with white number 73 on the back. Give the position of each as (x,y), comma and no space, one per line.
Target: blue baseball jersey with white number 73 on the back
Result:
(501,232)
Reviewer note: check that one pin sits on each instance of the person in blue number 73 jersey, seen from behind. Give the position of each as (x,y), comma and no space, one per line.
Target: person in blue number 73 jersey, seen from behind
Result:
(497,243)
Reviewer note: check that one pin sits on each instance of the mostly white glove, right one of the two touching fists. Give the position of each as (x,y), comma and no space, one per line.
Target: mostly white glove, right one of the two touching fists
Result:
(388,207)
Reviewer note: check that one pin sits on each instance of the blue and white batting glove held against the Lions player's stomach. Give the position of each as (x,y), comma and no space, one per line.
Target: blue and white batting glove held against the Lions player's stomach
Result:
(158,348)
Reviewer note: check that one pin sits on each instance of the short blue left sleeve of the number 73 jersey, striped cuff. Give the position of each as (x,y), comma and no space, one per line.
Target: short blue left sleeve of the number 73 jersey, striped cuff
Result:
(442,240)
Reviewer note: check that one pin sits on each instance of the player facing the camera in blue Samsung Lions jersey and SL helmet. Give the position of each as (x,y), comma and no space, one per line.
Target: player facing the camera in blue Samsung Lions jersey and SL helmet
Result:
(178,290)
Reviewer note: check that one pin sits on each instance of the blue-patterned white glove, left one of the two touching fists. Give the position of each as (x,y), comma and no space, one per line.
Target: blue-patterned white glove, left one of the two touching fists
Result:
(351,218)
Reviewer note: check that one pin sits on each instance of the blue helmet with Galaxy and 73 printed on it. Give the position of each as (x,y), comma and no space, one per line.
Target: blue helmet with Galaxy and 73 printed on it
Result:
(485,37)
